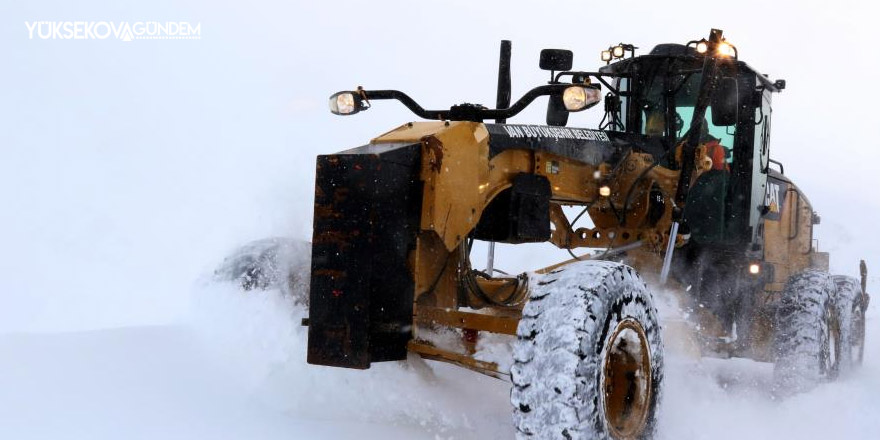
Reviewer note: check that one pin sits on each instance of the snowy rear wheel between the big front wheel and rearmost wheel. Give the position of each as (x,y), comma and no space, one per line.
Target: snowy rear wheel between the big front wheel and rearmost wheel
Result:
(808,333)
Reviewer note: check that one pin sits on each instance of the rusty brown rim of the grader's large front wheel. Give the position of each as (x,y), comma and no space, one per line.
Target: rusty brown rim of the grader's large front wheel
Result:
(626,381)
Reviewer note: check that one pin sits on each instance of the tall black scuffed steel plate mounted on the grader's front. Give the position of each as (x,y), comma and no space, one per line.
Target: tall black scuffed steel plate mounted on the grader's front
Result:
(367,206)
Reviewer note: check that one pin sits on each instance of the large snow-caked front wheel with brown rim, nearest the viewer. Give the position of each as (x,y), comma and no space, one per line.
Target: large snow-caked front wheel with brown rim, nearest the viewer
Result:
(588,359)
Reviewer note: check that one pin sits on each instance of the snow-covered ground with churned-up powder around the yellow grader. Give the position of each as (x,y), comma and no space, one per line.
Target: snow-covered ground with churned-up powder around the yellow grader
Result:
(236,370)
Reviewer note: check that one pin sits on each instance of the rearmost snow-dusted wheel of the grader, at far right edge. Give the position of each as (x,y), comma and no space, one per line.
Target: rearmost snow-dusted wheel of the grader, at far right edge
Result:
(850,306)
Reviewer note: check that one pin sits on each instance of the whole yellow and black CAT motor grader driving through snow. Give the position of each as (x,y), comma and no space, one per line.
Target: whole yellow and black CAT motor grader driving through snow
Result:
(678,183)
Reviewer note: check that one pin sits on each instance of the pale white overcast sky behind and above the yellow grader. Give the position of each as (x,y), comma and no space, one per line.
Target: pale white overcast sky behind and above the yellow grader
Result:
(128,168)
